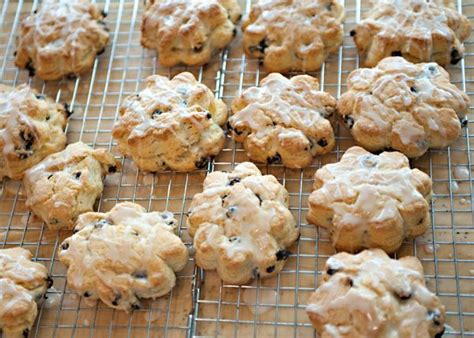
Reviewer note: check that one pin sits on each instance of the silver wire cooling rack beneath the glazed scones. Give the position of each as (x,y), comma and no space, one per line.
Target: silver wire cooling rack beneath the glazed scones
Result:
(200,305)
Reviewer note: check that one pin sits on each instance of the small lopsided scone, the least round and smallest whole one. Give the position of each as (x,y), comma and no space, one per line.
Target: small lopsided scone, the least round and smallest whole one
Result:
(67,184)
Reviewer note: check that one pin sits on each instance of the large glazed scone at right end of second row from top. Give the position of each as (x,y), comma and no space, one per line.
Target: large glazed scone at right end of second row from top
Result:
(403,106)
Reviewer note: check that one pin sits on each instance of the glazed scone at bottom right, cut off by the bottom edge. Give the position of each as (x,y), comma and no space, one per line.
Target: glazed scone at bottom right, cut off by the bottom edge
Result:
(371,295)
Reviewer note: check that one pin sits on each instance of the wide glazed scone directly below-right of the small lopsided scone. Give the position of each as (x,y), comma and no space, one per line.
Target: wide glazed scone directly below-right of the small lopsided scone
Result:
(123,255)
